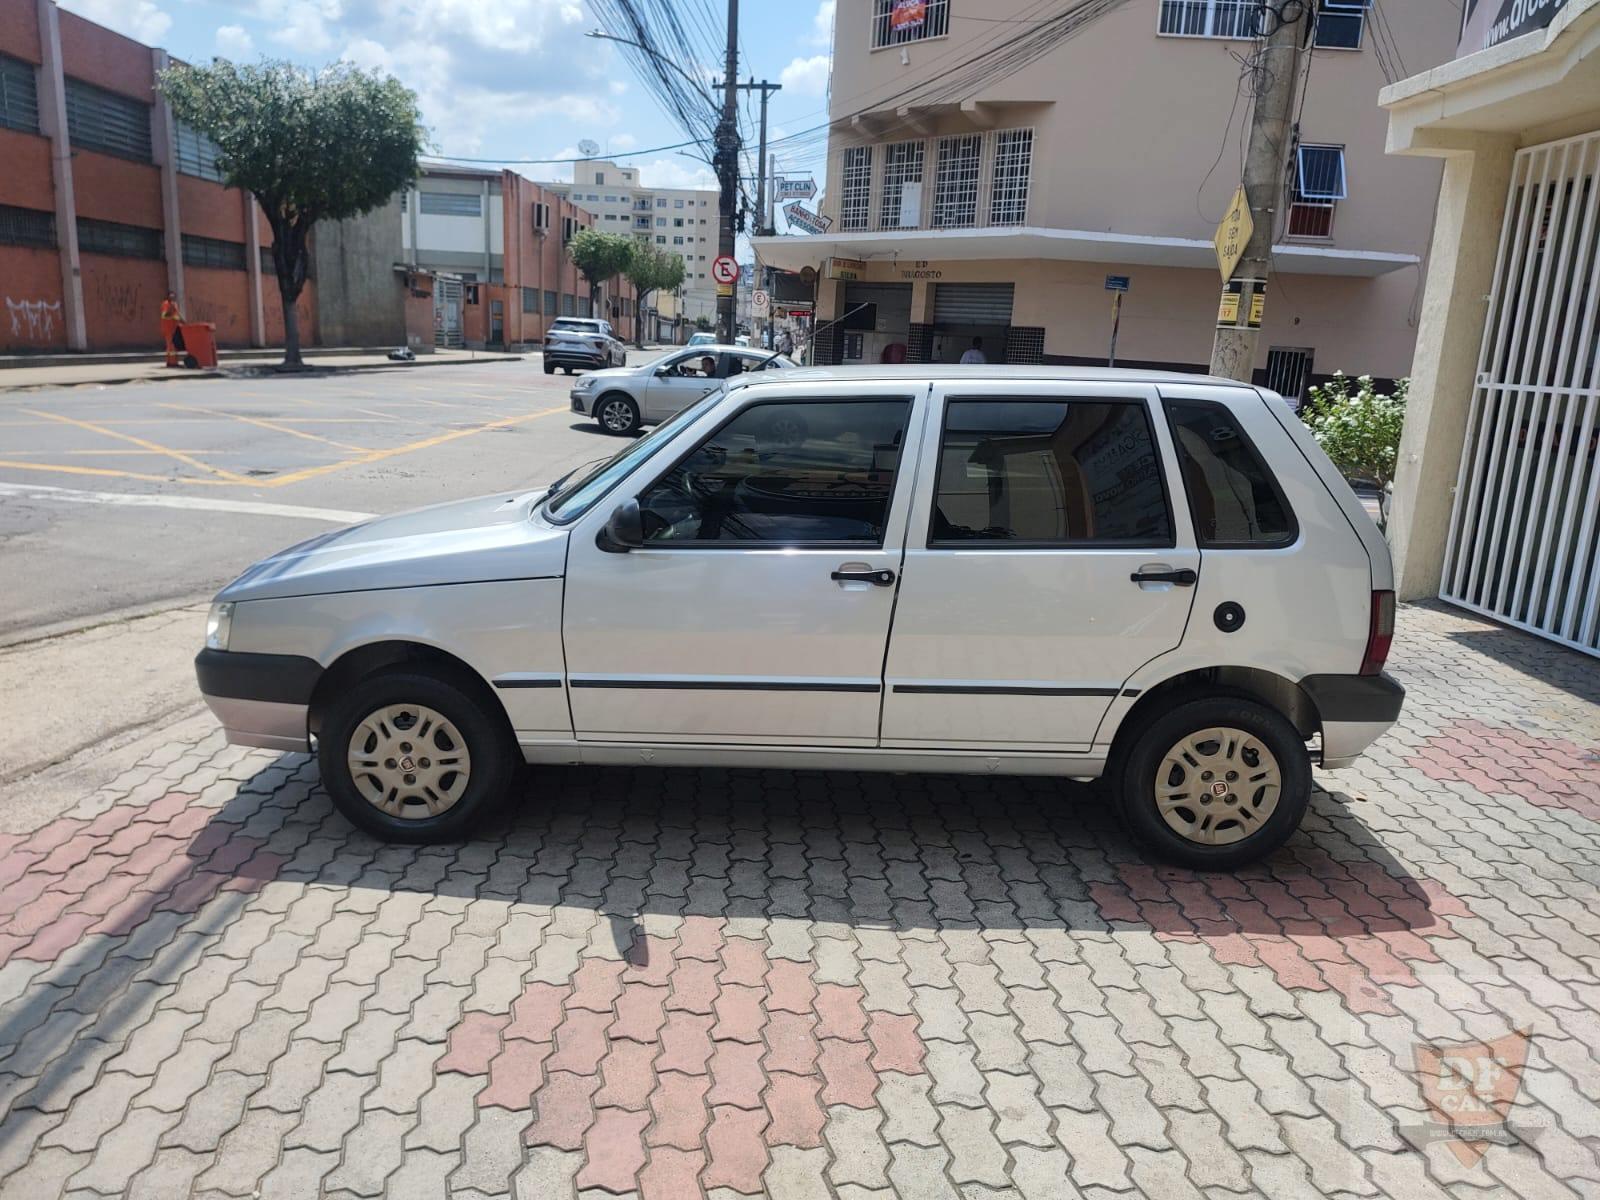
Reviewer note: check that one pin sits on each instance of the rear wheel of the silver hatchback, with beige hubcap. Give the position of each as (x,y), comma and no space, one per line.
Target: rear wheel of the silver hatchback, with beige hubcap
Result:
(1178,794)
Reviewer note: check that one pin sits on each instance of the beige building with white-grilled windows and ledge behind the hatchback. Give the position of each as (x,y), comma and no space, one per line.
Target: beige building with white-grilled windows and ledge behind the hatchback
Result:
(972,196)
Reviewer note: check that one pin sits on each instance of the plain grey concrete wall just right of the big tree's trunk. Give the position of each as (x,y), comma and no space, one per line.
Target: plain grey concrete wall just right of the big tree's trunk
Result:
(362,300)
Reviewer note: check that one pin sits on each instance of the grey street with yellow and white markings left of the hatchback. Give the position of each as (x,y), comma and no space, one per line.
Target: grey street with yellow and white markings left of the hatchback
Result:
(124,508)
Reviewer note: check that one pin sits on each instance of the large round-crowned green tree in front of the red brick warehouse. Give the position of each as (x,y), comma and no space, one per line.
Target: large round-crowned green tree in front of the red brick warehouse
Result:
(310,146)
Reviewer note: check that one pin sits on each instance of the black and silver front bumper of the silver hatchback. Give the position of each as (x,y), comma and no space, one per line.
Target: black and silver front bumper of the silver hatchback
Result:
(262,700)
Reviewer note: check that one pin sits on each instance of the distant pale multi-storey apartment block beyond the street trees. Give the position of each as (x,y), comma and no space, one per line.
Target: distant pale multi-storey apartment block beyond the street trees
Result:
(678,220)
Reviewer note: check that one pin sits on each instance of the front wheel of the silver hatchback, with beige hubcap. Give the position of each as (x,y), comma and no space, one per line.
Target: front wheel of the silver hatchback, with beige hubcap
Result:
(450,719)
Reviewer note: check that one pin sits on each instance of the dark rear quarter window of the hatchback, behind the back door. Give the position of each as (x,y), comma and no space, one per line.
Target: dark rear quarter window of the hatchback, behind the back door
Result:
(1233,495)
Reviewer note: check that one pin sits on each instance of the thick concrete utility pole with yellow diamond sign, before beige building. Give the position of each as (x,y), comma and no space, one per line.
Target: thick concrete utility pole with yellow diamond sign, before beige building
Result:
(1271,135)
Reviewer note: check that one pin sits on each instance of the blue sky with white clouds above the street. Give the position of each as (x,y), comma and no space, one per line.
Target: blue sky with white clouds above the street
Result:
(505,79)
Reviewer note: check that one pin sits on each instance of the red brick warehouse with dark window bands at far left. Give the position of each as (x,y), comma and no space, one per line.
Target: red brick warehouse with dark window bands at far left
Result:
(106,202)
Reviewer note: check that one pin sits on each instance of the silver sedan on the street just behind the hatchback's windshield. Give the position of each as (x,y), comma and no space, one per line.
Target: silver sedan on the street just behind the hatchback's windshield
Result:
(625,401)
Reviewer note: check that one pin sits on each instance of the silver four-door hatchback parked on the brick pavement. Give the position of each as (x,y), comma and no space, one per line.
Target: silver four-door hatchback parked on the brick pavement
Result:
(1154,578)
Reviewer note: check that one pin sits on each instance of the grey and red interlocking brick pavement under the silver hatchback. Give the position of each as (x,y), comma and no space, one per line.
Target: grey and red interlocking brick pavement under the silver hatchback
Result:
(730,985)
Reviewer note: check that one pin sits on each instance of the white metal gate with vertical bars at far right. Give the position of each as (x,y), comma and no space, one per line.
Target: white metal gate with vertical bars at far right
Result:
(1526,529)
